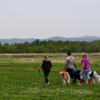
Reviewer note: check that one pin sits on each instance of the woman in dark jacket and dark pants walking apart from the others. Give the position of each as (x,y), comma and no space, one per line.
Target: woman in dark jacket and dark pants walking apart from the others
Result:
(46,66)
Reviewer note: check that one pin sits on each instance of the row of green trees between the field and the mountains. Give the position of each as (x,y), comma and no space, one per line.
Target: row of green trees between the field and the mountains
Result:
(51,47)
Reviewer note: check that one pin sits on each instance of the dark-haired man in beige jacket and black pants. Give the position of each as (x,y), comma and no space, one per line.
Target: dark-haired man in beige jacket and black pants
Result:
(70,63)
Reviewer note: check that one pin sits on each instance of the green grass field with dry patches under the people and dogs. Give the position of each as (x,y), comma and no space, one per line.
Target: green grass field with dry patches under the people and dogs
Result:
(20,81)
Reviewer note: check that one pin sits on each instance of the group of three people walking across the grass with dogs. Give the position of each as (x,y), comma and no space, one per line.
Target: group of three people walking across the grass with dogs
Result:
(69,66)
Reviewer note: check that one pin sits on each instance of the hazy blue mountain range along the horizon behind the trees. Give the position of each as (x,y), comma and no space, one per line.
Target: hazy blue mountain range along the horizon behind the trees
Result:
(17,40)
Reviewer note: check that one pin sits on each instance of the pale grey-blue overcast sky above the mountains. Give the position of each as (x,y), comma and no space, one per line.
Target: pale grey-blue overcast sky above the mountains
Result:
(48,18)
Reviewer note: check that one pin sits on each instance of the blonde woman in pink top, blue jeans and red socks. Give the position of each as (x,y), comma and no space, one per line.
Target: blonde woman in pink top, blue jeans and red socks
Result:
(86,68)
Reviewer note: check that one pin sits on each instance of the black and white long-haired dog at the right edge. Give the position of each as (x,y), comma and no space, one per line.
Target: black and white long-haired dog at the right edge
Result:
(94,76)
